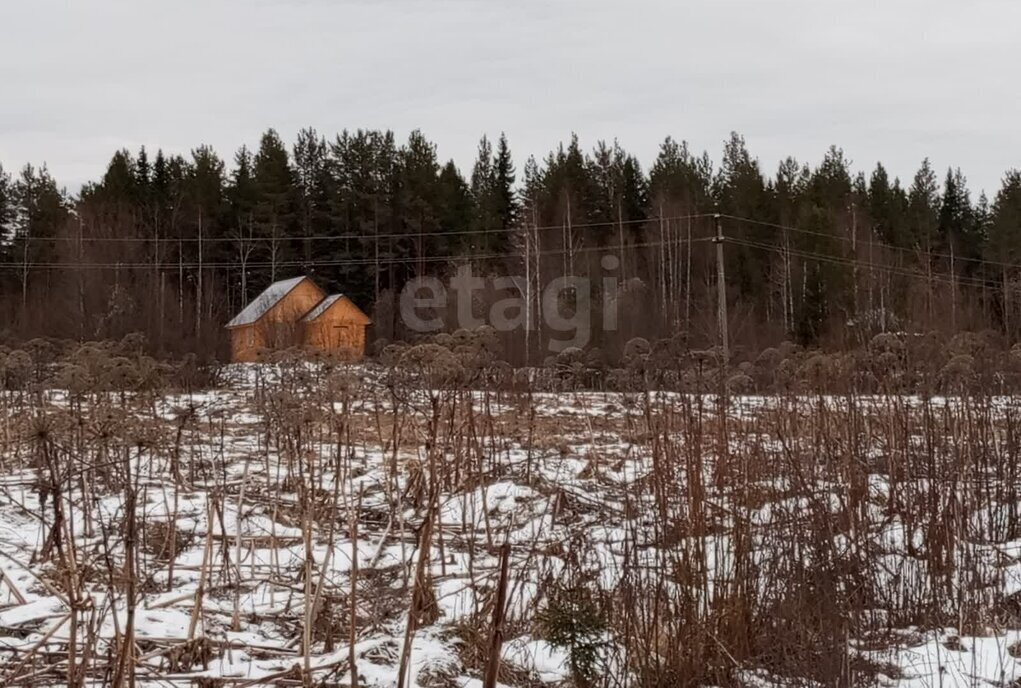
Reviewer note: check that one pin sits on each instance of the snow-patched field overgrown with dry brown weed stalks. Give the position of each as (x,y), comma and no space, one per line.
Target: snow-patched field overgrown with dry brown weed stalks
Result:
(341,526)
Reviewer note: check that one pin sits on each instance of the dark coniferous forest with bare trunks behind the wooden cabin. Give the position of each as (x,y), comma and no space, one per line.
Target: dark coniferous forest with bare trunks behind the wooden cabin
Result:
(817,253)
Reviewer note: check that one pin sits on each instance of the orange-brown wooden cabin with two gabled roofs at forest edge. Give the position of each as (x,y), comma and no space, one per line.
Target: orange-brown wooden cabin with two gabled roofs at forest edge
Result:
(295,313)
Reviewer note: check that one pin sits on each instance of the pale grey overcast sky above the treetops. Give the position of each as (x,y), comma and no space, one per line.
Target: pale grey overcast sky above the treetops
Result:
(893,81)
